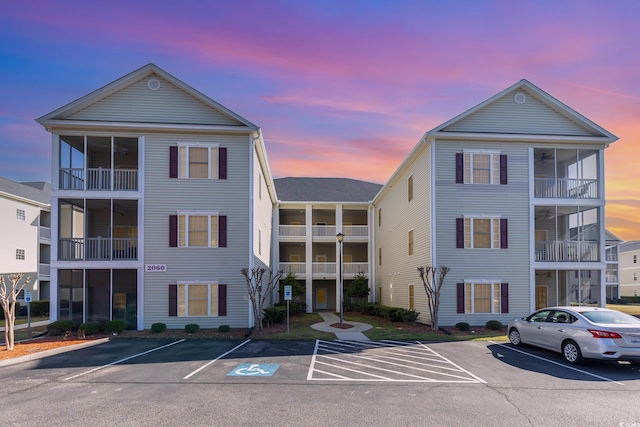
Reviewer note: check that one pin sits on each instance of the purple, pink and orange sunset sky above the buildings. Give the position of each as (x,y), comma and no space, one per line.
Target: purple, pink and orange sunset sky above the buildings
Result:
(340,88)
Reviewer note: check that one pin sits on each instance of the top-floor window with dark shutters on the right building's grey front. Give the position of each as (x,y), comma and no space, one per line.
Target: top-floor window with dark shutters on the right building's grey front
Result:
(481,167)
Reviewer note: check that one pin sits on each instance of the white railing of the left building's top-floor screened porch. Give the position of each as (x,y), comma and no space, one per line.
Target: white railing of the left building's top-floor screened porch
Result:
(98,179)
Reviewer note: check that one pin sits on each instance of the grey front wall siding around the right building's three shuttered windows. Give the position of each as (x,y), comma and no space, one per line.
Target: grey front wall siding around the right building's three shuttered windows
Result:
(510,201)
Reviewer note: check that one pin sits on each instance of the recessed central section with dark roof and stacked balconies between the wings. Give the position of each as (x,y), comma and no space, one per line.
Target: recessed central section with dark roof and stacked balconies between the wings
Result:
(311,213)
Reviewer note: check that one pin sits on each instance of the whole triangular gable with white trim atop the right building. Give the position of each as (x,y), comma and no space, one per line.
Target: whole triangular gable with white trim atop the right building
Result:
(523,110)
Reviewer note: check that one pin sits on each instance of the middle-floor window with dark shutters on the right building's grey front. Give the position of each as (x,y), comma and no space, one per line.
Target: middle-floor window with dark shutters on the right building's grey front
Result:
(481,232)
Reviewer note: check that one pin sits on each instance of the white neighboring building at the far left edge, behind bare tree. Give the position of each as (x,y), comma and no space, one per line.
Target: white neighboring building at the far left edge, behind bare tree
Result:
(25,223)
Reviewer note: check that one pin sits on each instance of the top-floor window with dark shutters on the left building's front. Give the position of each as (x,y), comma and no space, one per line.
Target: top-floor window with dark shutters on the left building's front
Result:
(198,161)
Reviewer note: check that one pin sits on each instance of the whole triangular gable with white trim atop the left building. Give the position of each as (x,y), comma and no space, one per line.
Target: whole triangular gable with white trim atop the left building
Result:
(137,99)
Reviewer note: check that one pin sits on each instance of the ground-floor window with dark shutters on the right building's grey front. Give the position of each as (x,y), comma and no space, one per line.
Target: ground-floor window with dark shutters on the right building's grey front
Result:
(483,297)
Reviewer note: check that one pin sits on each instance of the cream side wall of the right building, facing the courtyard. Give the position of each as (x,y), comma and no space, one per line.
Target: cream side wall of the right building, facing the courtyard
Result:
(399,270)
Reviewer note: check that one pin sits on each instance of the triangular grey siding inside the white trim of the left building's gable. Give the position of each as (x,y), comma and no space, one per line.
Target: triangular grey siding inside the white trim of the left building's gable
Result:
(137,103)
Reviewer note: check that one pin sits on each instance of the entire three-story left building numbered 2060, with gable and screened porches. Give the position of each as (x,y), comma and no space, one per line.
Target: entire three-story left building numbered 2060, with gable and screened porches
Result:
(160,197)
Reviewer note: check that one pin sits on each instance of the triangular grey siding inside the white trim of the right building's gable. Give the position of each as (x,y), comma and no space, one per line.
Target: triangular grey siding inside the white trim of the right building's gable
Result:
(506,116)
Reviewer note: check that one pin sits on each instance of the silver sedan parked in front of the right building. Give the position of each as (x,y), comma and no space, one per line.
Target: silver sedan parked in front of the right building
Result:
(580,333)
